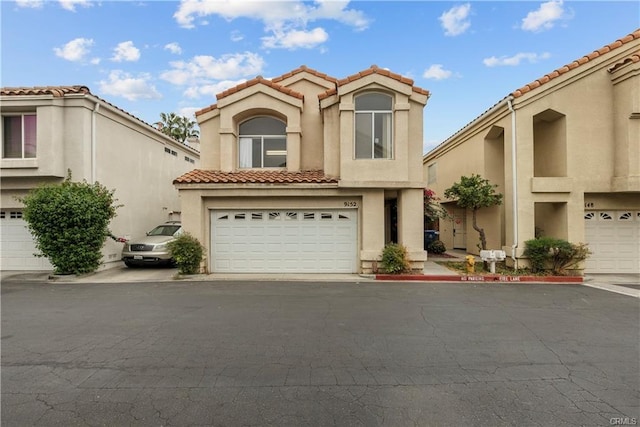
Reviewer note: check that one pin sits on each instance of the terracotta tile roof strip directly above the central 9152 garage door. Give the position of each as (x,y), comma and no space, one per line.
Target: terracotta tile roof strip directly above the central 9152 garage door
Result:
(199,176)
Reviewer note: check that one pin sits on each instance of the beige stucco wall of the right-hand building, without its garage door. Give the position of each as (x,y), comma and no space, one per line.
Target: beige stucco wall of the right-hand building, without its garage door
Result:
(575,135)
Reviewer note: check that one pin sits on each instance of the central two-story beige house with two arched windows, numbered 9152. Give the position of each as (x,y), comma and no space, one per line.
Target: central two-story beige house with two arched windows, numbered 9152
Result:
(307,173)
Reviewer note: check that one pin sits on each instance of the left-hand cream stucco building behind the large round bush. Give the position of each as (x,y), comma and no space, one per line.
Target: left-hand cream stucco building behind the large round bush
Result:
(48,130)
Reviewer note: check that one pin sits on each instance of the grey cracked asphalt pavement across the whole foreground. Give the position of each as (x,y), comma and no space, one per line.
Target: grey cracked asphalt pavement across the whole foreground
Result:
(317,354)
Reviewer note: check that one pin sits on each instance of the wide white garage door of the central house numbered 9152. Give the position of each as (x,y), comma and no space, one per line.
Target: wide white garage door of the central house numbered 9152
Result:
(288,241)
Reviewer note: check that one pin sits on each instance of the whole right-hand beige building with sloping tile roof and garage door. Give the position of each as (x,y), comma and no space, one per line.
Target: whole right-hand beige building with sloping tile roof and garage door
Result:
(565,152)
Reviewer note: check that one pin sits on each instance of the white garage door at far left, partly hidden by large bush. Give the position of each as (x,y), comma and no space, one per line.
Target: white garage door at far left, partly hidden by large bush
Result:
(16,244)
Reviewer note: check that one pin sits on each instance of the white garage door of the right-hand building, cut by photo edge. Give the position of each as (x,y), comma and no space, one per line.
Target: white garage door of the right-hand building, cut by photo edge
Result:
(614,239)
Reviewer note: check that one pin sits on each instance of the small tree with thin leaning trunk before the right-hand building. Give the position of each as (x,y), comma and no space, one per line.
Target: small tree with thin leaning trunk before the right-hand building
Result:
(474,193)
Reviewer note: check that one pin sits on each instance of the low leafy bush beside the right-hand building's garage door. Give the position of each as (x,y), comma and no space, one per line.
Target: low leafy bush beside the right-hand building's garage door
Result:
(557,255)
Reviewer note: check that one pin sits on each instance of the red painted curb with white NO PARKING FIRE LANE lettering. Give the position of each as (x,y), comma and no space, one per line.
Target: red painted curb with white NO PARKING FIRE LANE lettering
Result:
(487,278)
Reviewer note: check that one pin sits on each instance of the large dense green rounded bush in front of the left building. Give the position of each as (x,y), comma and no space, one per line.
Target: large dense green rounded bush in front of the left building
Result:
(69,222)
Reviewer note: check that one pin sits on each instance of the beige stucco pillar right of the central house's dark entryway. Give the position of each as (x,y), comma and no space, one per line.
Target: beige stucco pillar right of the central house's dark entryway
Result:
(411,225)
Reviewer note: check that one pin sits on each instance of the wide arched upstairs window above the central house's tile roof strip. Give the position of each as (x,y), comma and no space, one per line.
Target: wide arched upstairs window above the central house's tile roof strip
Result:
(263,143)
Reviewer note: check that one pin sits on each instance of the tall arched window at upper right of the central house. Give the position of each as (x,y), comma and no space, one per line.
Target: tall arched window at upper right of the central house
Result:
(374,130)
